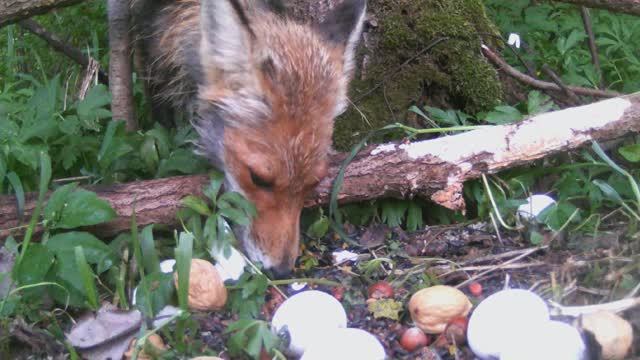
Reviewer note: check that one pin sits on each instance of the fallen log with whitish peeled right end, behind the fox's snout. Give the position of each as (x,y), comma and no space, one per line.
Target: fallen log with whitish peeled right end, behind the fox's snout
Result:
(433,169)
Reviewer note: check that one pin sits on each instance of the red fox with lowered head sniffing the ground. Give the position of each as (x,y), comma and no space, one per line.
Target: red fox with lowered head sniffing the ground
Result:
(263,90)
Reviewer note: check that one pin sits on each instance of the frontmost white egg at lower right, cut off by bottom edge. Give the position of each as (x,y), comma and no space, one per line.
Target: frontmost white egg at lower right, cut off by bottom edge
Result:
(545,340)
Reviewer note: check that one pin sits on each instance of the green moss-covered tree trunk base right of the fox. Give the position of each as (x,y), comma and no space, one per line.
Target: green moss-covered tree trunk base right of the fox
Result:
(452,74)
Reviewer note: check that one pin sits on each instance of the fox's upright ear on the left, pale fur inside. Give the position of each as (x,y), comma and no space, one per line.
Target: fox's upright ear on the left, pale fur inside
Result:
(225,46)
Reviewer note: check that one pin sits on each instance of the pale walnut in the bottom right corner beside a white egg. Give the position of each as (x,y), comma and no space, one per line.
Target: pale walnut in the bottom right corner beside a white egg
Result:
(612,332)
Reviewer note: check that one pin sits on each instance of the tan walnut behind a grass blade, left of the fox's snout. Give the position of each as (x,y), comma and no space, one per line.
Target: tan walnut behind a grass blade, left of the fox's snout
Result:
(206,288)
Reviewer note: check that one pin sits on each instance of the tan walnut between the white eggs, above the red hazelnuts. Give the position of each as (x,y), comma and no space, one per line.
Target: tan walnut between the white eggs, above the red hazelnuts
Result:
(434,307)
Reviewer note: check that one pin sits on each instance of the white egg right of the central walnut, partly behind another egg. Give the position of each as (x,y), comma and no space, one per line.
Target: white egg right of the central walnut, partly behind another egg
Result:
(502,318)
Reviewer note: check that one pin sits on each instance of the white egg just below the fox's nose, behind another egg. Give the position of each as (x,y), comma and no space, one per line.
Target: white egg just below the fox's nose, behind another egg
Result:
(308,316)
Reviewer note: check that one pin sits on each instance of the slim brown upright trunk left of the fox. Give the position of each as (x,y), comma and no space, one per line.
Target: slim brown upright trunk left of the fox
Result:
(120,83)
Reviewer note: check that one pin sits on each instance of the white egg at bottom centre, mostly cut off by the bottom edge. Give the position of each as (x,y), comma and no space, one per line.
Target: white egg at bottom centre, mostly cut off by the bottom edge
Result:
(346,344)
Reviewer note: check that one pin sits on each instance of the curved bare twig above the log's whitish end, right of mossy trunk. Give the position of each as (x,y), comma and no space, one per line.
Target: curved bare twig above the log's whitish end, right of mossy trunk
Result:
(539,84)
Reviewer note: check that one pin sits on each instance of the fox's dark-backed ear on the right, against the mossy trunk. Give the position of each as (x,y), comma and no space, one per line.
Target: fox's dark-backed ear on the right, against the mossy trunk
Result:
(343,26)
